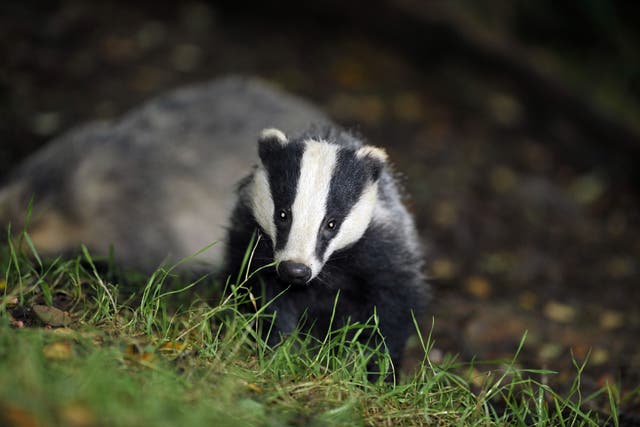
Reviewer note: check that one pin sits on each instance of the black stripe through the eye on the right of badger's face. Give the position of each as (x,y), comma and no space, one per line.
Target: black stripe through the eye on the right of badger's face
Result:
(347,184)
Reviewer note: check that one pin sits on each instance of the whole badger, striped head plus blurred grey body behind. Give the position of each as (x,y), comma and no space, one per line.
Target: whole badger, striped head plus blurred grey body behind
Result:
(160,184)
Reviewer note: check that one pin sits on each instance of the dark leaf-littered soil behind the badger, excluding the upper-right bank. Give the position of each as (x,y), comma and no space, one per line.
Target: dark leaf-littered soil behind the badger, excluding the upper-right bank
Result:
(530,223)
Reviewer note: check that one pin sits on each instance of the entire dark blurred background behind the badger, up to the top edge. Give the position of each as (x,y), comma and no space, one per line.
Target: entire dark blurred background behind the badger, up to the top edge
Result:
(515,125)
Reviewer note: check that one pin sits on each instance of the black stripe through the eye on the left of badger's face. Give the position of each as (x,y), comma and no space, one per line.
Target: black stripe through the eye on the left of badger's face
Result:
(283,170)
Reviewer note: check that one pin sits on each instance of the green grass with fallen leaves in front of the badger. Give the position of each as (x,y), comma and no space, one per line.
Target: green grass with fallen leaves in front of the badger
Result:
(166,356)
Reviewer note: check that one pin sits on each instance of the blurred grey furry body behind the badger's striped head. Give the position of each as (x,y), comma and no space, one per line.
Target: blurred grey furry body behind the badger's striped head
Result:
(157,184)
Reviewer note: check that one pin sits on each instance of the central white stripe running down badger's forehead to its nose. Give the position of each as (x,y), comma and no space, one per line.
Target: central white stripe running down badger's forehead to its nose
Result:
(309,206)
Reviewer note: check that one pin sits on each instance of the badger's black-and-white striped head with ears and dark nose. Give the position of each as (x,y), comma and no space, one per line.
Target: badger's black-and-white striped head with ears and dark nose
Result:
(312,197)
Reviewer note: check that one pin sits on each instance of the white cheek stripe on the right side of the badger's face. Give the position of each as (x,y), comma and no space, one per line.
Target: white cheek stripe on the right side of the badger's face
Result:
(356,223)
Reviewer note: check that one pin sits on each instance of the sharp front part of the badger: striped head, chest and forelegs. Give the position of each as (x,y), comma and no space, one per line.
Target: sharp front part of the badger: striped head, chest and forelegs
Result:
(329,214)
